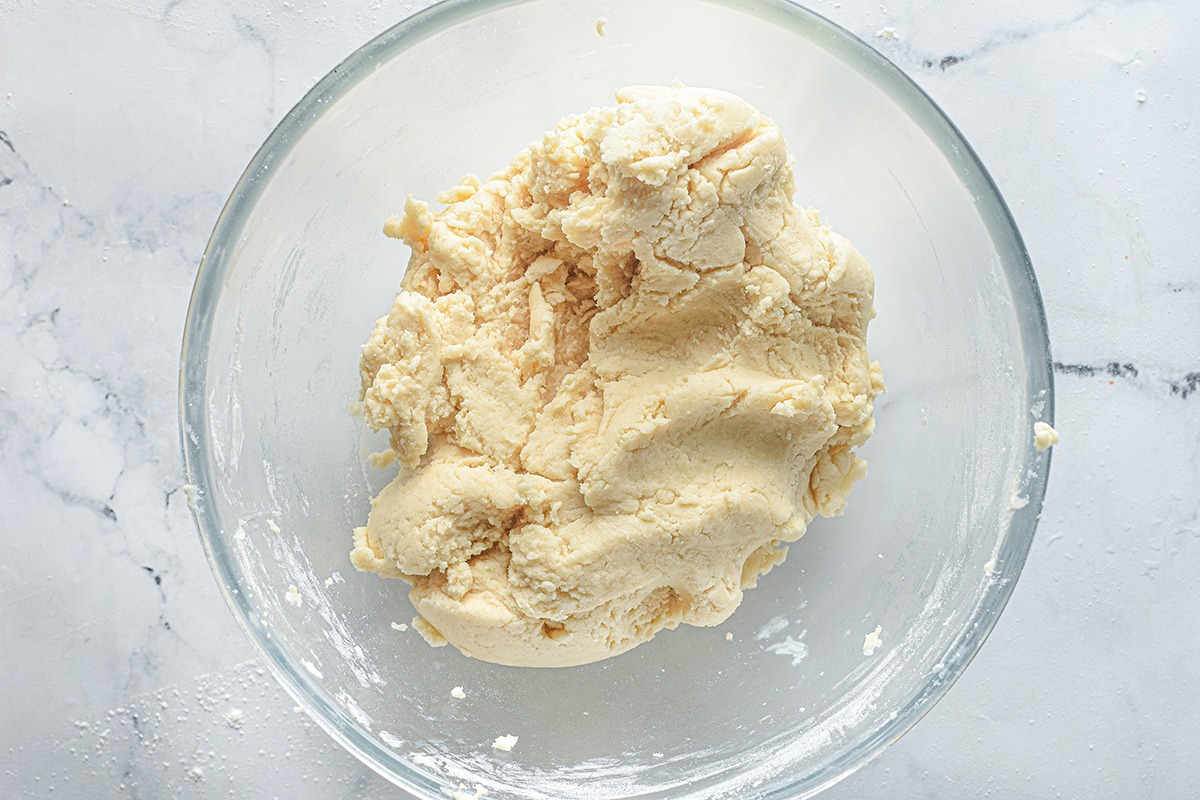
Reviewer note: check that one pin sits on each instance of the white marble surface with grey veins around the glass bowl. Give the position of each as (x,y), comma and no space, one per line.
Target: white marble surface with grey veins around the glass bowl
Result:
(125,125)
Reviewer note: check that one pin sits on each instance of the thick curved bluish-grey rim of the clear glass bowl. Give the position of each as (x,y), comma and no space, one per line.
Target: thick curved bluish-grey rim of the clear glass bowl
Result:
(223,251)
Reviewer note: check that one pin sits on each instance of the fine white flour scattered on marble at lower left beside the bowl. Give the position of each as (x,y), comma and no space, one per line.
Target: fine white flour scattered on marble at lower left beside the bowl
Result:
(187,741)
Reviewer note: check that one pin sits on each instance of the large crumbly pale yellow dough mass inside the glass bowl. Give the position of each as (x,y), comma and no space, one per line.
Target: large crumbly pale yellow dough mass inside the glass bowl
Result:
(620,375)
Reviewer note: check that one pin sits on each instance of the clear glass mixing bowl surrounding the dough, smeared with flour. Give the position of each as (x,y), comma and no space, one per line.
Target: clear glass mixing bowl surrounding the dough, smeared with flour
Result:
(929,549)
